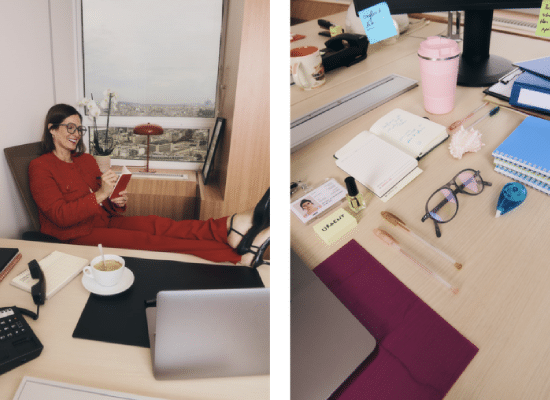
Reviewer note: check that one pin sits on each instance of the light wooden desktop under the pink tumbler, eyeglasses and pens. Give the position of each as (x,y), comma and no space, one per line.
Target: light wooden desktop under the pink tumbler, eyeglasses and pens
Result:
(503,303)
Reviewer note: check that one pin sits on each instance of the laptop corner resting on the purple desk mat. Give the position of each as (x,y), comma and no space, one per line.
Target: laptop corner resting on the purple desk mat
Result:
(327,342)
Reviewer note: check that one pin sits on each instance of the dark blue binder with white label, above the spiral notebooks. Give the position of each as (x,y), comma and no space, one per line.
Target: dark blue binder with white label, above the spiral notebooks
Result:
(531,91)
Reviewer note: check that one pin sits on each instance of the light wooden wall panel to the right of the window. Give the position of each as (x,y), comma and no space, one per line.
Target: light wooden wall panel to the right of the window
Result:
(244,150)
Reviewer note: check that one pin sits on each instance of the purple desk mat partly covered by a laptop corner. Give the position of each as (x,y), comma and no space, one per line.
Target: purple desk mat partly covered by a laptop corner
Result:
(419,355)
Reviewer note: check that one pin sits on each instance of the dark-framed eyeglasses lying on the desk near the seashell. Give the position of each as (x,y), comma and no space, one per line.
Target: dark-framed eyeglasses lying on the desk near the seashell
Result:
(442,206)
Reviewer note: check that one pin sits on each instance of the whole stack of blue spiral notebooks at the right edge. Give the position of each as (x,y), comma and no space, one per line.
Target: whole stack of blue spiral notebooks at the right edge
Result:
(524,154)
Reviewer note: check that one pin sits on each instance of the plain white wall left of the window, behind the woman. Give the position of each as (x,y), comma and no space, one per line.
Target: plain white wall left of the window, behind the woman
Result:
(28,88)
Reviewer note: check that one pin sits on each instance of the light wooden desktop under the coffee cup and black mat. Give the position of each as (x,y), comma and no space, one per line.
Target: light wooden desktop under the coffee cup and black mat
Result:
(98,364)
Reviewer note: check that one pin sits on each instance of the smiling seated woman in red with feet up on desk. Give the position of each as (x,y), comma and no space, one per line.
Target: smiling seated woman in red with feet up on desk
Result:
(74,206)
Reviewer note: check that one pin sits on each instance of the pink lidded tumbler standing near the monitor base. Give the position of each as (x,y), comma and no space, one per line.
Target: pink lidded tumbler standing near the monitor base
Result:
(438,71)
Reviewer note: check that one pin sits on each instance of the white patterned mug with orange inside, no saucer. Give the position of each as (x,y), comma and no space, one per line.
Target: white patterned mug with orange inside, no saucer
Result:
(307,67)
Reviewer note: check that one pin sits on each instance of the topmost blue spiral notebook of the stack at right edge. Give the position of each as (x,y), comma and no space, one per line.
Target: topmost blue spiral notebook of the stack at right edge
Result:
(528,146)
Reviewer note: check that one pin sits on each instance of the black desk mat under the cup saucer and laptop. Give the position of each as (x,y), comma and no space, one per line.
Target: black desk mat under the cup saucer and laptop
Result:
(121,318)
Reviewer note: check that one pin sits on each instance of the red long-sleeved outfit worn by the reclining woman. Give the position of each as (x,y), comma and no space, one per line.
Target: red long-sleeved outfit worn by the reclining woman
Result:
(68,210)
